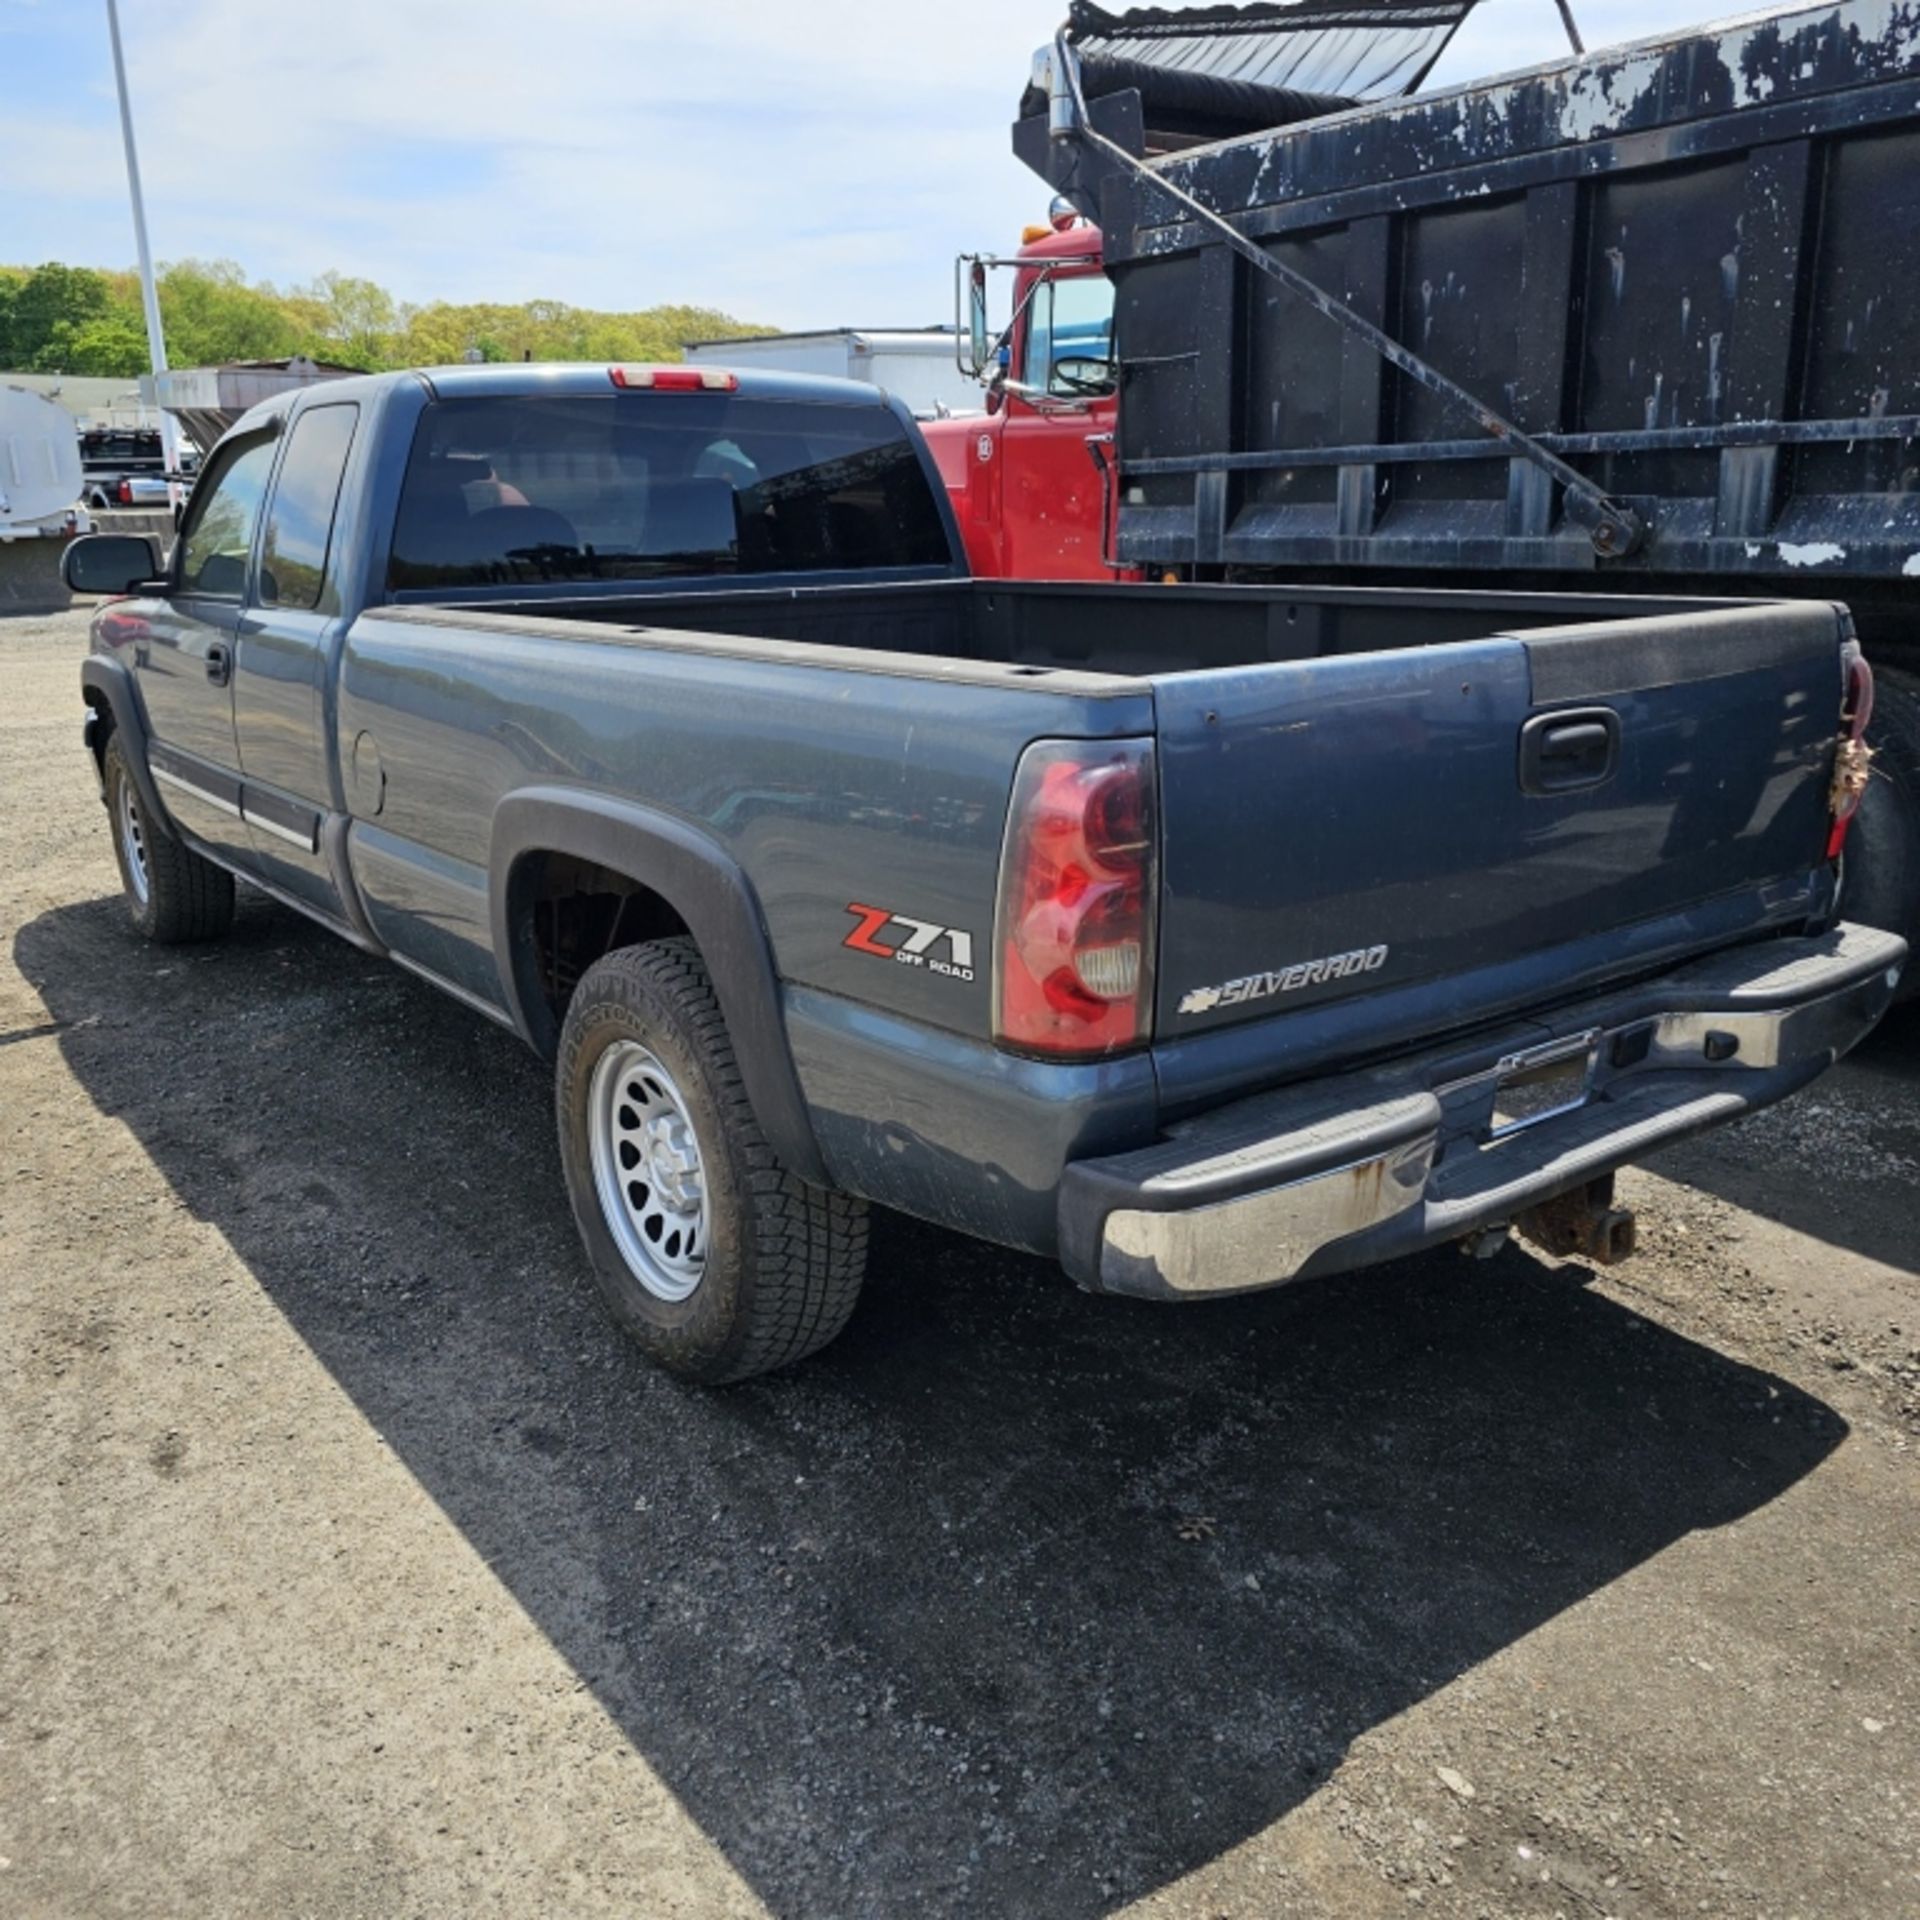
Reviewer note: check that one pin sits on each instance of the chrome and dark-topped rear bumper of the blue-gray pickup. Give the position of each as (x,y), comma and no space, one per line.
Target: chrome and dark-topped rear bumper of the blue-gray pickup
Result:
(1345,1174)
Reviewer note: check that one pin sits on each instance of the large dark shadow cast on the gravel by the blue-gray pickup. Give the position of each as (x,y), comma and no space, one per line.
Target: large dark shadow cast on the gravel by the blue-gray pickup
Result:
(1013,1602)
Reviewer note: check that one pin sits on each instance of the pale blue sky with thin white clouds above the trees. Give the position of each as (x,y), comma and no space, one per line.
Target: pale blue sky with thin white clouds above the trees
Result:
(794,164)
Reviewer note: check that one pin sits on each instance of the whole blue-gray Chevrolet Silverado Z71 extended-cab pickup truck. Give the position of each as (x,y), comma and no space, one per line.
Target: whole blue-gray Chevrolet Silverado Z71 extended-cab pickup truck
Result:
(1199,938)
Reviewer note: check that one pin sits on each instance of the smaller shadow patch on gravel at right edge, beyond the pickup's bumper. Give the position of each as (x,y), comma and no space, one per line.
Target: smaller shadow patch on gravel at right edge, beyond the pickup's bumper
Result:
(1861,1126)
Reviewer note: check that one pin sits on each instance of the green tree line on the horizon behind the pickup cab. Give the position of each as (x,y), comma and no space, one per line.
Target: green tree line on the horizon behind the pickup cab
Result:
(87,322)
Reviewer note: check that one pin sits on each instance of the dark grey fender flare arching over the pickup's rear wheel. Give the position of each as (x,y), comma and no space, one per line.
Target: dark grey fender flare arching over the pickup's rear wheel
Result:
(706,888)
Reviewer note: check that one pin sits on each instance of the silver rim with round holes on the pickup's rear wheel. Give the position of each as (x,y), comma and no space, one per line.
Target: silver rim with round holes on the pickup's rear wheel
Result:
(648,1170)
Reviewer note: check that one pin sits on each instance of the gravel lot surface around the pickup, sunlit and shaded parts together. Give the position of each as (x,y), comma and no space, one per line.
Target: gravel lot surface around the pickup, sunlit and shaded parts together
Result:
(350,1566)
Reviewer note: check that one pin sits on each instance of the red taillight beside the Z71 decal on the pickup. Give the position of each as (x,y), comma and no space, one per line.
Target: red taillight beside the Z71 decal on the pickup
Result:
(1074,936)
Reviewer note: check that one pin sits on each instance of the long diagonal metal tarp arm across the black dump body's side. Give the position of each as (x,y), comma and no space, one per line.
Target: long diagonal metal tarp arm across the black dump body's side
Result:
(1614,529)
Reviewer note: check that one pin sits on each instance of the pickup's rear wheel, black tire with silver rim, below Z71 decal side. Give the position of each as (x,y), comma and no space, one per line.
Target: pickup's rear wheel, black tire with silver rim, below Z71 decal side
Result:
(708,1251)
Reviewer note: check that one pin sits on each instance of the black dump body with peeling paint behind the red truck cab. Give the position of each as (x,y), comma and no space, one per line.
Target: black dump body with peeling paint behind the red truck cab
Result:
(1687,268)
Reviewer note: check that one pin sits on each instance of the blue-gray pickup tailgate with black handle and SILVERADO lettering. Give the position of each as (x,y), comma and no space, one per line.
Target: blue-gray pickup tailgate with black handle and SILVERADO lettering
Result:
(1360,825)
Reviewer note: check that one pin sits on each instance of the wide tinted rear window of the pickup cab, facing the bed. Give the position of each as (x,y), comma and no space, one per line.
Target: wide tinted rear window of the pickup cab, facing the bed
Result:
(642,487)
